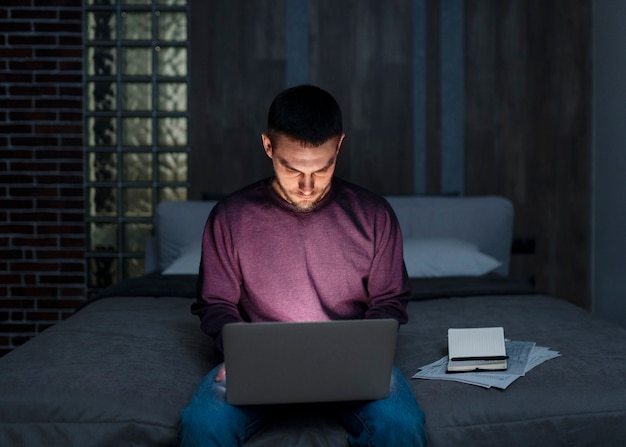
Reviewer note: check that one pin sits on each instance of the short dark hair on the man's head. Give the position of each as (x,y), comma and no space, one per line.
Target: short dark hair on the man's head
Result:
(305,113)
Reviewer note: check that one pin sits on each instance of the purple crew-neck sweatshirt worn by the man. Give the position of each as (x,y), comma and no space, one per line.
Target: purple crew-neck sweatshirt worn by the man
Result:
(262,260)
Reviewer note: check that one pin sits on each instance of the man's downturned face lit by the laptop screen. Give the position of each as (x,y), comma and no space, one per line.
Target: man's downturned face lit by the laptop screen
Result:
(302,173)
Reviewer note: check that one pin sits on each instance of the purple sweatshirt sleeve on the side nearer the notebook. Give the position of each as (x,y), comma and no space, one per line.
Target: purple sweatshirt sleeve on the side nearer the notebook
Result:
(388,283)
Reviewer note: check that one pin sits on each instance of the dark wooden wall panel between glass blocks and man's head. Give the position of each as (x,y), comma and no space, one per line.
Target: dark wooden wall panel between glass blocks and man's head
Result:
(238,66)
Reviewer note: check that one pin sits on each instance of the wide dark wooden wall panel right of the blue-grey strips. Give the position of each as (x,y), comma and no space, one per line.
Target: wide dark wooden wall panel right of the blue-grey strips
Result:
(528,130)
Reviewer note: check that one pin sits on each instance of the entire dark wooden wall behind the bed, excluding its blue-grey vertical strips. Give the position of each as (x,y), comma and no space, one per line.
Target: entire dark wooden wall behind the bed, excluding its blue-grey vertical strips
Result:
(527,107)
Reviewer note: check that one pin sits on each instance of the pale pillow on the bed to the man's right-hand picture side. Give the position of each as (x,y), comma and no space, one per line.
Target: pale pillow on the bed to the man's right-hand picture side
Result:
(434,257)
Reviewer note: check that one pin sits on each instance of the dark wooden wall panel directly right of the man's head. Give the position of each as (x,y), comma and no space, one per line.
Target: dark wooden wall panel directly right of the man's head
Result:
(361,51)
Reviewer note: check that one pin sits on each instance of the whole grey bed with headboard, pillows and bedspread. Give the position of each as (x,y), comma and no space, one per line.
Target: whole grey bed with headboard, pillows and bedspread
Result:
(118,371)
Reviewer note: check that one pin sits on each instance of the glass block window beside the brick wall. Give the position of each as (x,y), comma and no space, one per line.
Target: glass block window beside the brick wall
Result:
(137,120)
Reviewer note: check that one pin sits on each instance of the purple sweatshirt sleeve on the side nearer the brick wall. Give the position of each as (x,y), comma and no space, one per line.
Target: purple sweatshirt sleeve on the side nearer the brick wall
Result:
(219,279)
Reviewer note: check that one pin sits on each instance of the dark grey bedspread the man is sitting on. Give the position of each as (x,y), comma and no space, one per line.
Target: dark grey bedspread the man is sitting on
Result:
(118,372)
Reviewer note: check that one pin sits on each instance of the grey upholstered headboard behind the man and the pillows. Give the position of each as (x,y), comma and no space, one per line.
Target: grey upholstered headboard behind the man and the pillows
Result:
(485,221)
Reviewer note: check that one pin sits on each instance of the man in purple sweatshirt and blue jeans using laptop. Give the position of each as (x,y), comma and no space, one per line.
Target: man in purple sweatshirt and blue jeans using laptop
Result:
(301,246)
